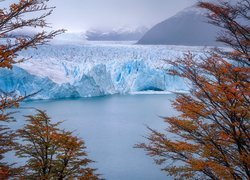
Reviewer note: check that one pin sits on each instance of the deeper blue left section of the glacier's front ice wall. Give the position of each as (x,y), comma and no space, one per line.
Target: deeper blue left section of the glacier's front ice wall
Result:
(20,81)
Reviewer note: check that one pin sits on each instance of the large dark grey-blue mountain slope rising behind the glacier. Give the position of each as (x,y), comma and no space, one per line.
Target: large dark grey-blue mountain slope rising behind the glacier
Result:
(188,27)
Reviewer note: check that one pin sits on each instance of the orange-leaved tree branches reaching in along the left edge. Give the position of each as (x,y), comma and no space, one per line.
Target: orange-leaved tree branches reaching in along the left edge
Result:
(13,19)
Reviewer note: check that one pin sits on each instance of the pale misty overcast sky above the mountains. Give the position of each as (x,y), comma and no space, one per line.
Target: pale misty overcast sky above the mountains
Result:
(81,15)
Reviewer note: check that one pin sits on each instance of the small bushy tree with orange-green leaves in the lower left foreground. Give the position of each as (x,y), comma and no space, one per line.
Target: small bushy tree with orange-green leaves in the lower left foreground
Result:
(52,153)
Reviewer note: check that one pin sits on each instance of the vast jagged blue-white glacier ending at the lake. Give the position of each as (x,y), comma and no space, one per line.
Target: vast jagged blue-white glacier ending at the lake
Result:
(92,69)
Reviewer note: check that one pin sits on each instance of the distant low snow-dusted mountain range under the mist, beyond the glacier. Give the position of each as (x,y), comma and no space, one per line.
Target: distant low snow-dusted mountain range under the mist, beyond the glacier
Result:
(116,35)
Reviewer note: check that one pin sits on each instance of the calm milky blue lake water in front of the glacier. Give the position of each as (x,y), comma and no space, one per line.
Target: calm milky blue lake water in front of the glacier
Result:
(110,127)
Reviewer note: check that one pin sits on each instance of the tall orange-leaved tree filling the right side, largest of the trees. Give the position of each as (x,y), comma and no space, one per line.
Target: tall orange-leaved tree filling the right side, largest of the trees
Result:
(212,133)
